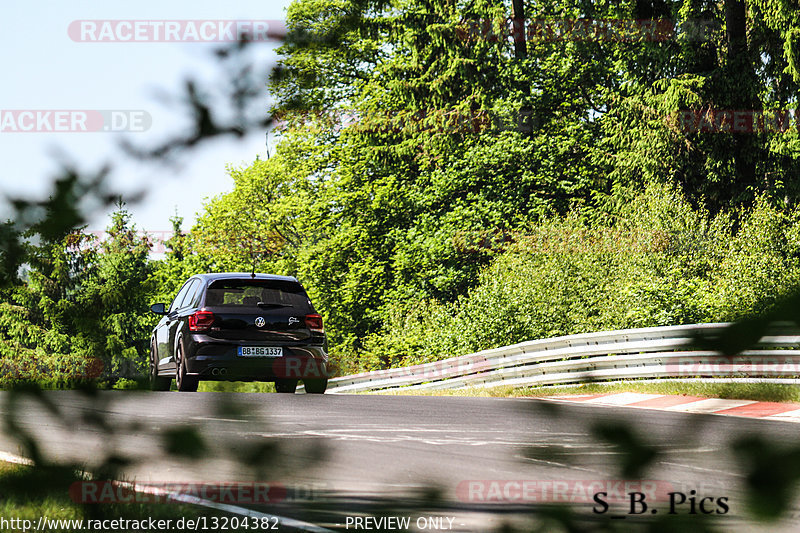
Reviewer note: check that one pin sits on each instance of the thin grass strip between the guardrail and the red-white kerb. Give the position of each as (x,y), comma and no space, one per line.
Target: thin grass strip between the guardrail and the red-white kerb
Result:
(765,392)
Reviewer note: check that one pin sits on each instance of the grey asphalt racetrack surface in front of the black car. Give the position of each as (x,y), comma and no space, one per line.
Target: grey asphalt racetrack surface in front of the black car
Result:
(482,460)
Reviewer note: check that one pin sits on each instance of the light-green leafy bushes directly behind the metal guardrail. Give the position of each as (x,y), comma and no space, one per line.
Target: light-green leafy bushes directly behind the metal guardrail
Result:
(659,262)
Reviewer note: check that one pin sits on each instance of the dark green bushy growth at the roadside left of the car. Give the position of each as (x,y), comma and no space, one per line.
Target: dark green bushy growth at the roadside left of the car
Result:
(81,311)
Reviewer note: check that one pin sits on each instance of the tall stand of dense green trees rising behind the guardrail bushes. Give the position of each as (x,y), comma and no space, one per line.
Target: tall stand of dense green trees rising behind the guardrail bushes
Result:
(418,140)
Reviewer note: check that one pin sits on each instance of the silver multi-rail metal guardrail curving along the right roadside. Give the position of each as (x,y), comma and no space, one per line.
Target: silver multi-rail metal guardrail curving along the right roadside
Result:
(660,352)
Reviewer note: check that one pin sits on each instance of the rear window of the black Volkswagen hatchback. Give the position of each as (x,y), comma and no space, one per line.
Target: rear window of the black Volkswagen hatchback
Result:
(265,294)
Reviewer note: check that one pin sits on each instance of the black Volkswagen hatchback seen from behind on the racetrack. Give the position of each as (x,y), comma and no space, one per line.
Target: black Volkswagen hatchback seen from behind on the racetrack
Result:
(239,327)
